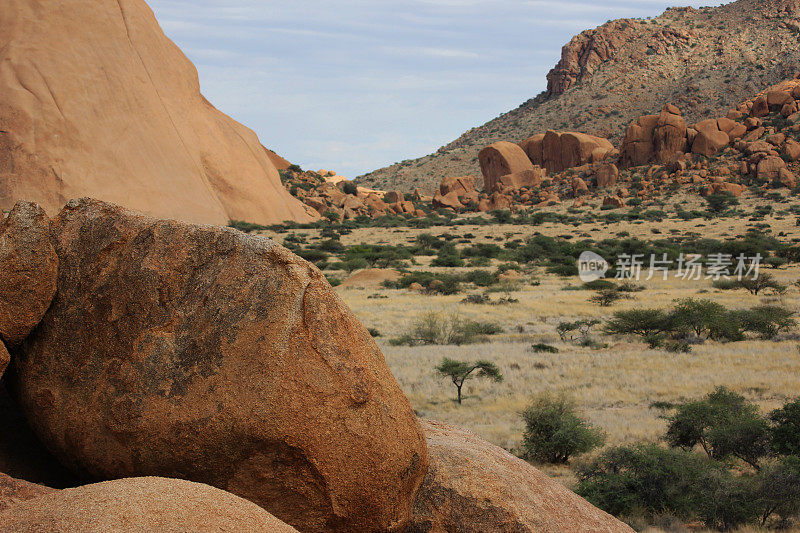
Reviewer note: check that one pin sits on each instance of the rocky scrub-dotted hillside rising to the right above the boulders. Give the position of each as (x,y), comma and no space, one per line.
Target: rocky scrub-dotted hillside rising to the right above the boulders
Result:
(705,61)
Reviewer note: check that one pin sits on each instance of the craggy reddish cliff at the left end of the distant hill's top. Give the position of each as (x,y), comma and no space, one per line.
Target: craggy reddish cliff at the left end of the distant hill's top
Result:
(585,53)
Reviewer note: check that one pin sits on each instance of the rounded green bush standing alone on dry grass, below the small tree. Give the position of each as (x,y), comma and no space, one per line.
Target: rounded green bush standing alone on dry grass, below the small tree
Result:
(554,432)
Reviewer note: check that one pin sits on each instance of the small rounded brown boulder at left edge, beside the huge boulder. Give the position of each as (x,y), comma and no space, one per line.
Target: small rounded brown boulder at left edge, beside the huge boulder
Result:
(28,271)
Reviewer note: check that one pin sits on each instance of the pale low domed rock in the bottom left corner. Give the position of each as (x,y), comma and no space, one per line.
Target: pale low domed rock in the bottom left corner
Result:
(140,504)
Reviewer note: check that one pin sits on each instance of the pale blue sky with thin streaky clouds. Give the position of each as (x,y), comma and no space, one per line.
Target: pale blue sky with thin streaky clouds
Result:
(356,85)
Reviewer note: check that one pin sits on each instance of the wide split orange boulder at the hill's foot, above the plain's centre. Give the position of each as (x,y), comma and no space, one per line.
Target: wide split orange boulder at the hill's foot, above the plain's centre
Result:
(557,151)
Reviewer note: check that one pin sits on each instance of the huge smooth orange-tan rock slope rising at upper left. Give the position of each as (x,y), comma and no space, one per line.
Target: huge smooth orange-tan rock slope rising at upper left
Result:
(96,101)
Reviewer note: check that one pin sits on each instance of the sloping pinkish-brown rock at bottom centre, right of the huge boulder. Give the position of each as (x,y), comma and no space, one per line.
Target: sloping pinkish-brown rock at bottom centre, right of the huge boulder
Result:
(475,487)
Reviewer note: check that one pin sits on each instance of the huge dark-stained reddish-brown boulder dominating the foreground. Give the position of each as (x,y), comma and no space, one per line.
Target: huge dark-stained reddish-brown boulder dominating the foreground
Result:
(203,353)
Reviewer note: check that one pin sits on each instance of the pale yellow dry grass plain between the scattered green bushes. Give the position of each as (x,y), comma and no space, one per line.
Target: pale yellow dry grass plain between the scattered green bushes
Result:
(614,386)
